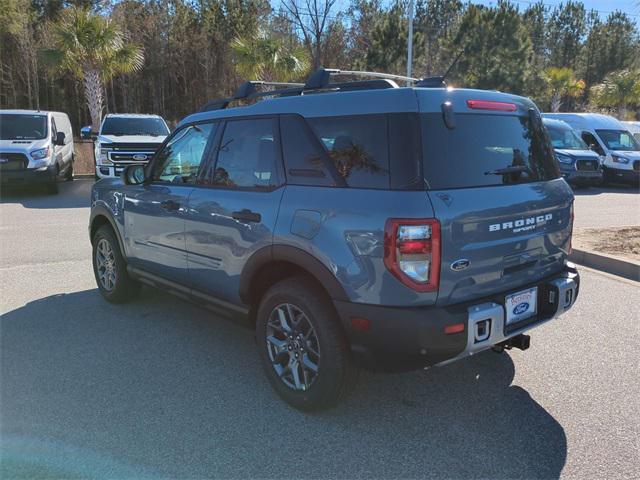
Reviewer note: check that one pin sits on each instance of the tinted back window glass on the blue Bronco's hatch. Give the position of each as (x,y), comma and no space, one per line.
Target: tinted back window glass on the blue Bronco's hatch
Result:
(479,149)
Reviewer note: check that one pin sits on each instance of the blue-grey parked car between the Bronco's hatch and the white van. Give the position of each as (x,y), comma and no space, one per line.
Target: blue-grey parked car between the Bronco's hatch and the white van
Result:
(578,165)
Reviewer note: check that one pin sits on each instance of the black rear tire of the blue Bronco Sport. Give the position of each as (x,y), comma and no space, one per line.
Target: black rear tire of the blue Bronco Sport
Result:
(336,372)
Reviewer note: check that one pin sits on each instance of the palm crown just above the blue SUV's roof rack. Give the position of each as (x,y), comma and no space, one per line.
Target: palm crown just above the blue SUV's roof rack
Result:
(262,58)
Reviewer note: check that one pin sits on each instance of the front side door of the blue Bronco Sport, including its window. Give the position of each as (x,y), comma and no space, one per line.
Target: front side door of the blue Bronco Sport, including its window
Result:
(155,212)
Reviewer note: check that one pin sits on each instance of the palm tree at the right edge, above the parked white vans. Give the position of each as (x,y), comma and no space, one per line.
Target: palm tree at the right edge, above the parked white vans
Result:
(619,90)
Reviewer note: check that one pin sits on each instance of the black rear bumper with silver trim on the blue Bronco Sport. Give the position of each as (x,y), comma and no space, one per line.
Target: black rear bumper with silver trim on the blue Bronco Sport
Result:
(404,339)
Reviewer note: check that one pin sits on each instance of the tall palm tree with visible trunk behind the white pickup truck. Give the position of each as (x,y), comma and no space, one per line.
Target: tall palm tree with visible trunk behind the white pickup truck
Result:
(92,49)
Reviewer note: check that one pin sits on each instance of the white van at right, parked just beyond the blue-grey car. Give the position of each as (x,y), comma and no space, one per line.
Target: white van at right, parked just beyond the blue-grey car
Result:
(618,149)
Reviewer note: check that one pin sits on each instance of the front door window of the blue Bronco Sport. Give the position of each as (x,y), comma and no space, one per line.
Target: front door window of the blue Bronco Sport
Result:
(180,159)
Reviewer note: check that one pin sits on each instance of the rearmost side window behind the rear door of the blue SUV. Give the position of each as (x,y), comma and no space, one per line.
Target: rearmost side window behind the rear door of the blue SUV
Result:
(358,148)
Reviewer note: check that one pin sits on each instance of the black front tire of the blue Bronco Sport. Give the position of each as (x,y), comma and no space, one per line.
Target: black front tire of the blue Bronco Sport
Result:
(122,288)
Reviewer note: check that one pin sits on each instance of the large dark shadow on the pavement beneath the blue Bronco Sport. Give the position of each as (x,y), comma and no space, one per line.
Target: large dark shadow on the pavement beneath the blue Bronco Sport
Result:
(158,387)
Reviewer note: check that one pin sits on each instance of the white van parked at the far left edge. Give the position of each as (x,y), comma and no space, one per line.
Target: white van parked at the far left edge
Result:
(35,147)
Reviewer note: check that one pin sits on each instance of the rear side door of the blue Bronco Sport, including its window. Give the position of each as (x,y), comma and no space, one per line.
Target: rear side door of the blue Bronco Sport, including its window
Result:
(233,212)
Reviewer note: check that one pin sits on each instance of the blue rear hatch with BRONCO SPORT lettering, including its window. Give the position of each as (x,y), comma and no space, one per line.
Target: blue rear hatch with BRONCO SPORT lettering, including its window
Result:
(505,214)
